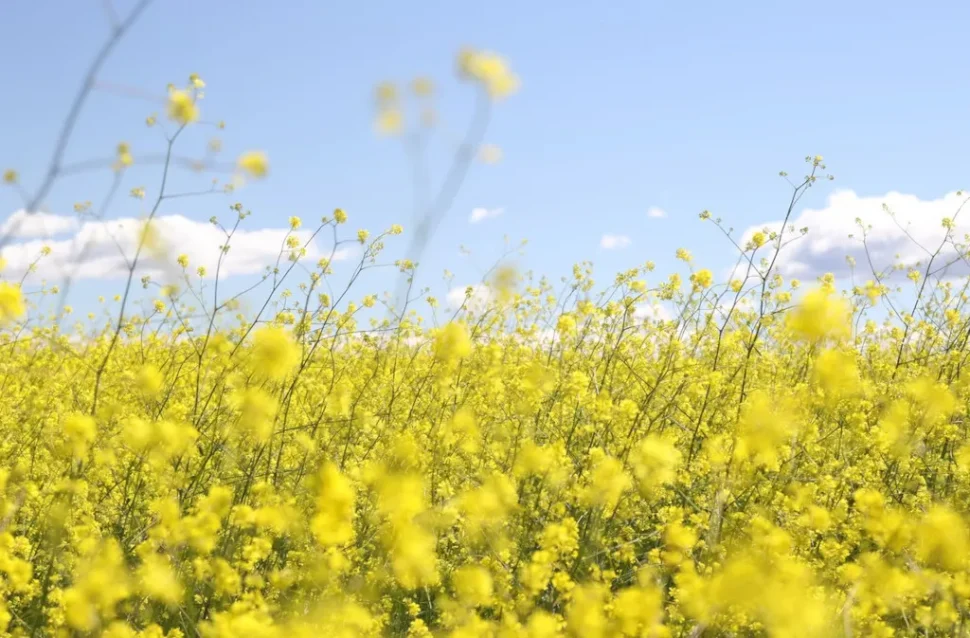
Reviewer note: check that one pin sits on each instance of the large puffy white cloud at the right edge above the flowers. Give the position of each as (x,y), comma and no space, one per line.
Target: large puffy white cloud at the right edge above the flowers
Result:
(826,244)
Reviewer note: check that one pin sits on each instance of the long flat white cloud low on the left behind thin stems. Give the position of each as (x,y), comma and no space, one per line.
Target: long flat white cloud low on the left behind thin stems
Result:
(102,249)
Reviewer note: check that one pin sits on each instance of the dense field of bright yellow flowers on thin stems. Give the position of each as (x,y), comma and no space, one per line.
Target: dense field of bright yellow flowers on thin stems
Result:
(765,457)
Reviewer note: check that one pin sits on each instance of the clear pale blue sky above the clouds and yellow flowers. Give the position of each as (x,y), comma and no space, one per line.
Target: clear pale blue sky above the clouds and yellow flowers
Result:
(680,106)
